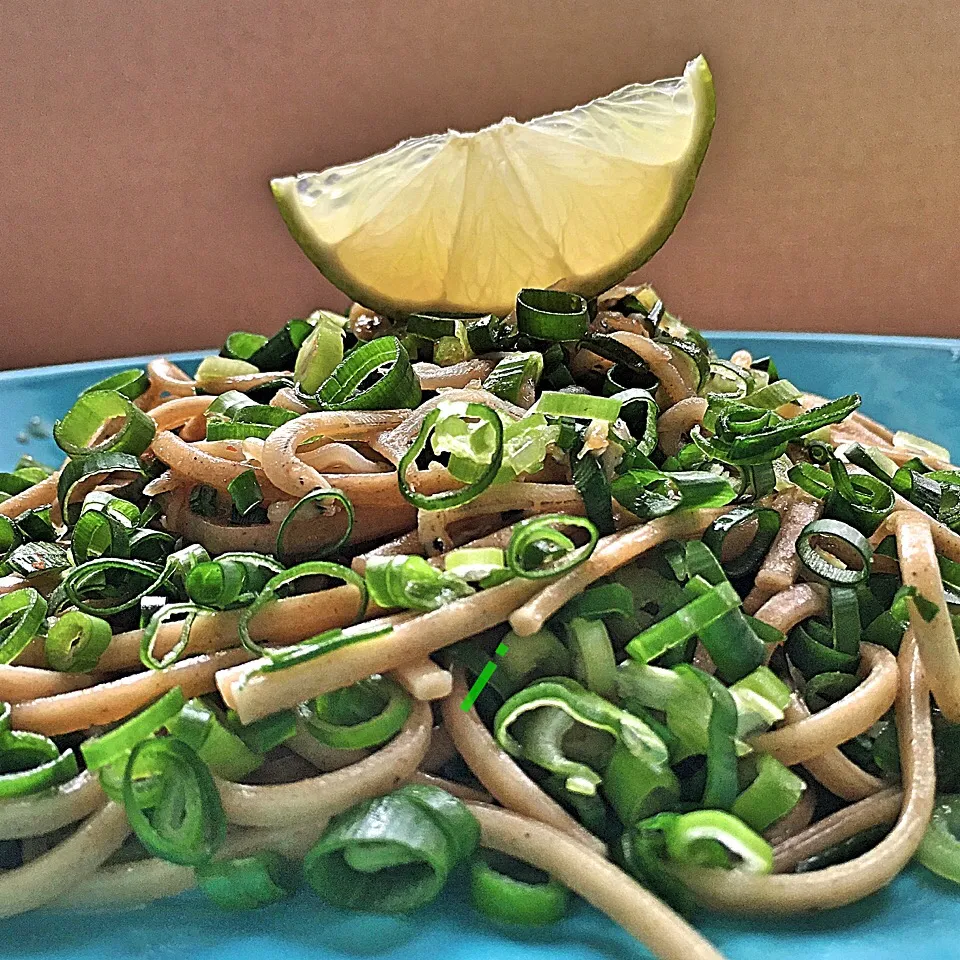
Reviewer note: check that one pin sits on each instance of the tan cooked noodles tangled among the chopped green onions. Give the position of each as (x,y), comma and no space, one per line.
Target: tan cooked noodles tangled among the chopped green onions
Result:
(71,833)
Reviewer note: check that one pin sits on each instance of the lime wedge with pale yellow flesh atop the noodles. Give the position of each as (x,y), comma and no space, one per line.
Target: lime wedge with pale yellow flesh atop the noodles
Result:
(460,222)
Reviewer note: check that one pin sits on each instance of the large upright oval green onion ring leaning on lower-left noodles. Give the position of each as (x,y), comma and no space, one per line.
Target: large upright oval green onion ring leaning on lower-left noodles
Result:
(184,822)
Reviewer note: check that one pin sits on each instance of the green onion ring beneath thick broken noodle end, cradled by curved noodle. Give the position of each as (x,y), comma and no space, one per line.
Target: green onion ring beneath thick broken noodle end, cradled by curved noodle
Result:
(367,714)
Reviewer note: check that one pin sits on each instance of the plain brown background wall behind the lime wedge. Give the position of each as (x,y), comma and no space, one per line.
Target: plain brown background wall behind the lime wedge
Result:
(137,138)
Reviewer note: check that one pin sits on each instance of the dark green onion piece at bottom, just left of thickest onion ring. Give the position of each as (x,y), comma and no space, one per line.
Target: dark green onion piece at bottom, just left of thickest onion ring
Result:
(249,882)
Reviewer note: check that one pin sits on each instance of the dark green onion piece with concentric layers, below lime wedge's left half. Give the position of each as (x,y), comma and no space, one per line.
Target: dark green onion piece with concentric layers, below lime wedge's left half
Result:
(375,375)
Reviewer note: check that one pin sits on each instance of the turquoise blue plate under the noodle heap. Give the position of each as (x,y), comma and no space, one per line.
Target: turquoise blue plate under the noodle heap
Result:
(908,383)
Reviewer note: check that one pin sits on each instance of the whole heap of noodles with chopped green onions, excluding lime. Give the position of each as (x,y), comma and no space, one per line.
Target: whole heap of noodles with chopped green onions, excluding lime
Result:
(658,625)
